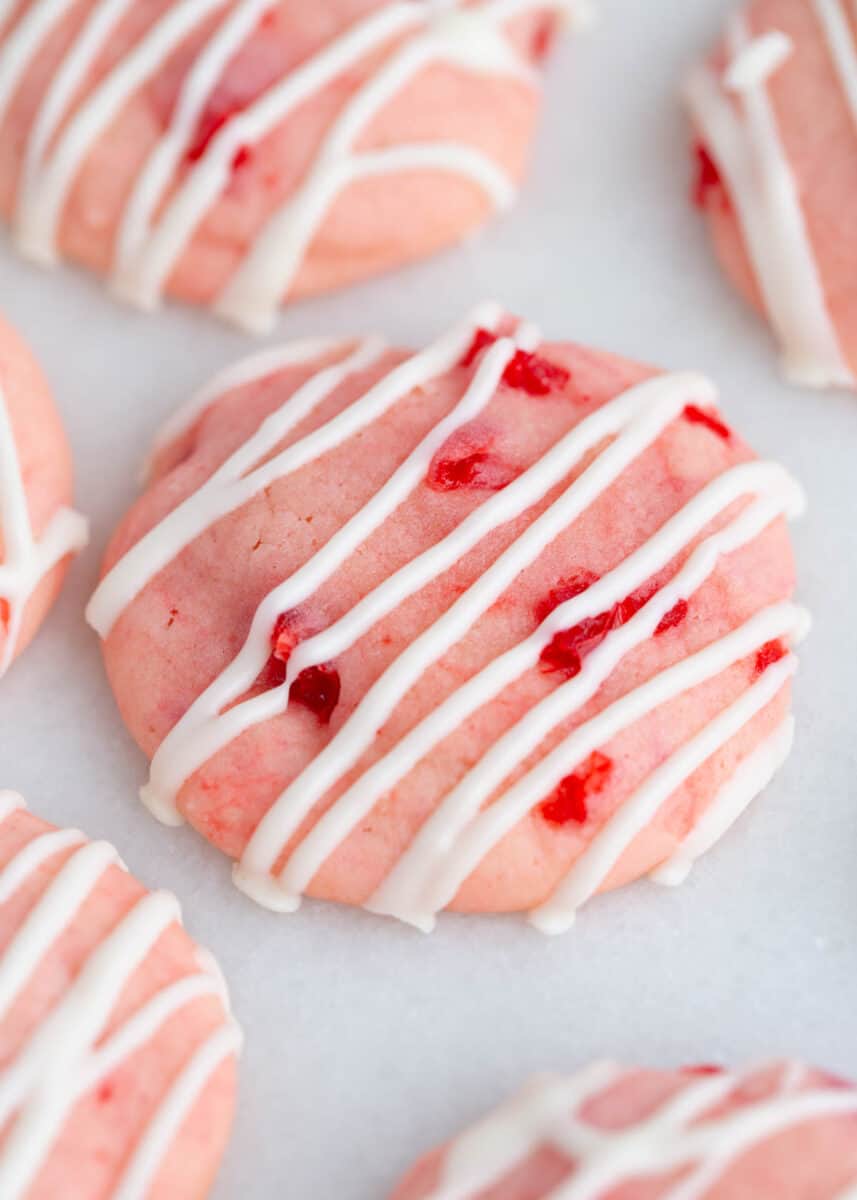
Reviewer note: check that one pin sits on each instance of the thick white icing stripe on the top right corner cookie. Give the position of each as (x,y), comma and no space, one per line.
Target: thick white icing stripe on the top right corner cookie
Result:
(744,140)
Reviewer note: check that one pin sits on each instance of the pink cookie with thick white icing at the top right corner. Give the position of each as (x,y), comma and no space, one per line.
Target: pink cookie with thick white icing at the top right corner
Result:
(775,111)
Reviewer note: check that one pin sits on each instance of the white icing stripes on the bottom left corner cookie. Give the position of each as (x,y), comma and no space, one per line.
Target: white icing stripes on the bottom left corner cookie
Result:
(65,1055)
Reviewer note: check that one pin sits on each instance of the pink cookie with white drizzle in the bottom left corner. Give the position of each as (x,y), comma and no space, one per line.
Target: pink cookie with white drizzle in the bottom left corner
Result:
(117,1049)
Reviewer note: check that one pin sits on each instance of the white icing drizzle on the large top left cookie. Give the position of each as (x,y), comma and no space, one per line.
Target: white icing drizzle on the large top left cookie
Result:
(160,220)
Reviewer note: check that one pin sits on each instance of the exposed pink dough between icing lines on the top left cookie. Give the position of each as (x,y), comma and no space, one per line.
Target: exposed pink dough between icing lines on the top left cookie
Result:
(373,225)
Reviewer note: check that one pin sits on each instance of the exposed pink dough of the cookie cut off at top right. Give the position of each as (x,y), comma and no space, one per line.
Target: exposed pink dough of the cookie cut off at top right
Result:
(817,128)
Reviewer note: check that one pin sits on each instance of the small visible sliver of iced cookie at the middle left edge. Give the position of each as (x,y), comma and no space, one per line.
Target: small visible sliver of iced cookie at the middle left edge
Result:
(38,531)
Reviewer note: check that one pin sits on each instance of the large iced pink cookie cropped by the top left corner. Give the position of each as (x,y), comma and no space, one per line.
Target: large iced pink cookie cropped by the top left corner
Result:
(243,153)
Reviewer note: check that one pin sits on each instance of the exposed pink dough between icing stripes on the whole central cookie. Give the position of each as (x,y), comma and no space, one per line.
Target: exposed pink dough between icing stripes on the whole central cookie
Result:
(185,627)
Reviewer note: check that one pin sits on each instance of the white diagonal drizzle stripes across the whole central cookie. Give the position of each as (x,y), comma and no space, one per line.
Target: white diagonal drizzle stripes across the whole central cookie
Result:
(471,821)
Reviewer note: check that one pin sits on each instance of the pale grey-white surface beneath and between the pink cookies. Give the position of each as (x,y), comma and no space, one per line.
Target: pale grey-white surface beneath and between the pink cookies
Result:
(367,1042)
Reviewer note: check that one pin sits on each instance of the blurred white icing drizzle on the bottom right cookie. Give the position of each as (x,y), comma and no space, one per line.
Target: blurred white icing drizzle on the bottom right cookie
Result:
(681,1135)
